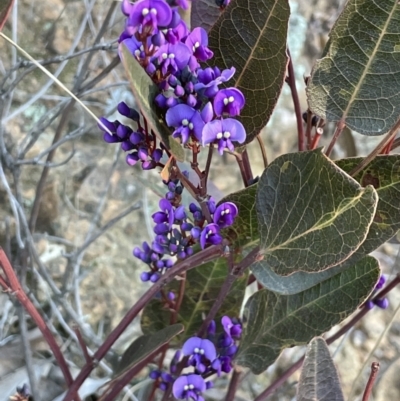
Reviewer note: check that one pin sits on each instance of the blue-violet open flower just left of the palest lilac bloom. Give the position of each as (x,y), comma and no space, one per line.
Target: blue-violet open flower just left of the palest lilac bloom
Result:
(186,121)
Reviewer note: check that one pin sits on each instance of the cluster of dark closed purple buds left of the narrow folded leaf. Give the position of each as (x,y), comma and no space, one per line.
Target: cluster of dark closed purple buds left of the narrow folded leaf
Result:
(140,145)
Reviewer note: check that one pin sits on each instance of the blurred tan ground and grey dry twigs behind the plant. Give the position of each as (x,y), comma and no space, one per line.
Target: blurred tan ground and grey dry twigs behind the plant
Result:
(86,209)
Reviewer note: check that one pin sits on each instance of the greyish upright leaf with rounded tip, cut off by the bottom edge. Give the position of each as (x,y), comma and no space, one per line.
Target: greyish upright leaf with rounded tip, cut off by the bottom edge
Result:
(319,380)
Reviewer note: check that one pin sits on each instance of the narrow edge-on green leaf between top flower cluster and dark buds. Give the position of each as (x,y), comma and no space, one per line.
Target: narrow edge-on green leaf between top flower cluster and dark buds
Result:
(145,92)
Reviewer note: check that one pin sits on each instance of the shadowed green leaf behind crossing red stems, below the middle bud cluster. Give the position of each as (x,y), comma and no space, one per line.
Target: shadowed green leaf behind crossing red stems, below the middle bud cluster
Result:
(201,290)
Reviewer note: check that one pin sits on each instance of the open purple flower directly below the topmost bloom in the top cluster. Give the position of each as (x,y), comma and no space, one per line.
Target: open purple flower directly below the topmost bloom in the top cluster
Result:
(172,58)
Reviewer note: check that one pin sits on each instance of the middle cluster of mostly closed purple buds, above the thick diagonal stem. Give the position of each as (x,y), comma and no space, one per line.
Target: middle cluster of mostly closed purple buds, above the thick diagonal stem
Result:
(175,235)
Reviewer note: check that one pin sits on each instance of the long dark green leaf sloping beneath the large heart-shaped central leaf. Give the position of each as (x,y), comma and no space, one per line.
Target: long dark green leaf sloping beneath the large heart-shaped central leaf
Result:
(274,322)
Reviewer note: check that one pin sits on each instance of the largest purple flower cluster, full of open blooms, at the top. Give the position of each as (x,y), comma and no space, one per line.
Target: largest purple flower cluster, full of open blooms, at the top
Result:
(194,106)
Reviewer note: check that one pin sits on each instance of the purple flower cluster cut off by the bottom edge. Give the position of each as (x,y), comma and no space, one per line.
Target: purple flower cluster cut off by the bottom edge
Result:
(206,357)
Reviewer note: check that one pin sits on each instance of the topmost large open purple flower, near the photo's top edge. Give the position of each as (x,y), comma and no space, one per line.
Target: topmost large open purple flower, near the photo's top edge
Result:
(150,13)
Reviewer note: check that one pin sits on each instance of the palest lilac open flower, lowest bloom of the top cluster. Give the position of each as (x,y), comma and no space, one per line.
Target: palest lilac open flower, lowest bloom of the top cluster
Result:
(223,132)
